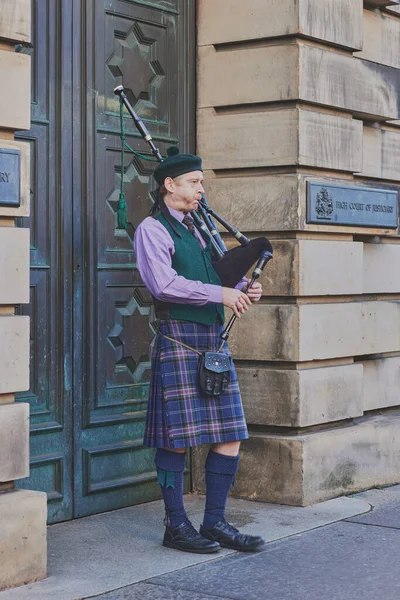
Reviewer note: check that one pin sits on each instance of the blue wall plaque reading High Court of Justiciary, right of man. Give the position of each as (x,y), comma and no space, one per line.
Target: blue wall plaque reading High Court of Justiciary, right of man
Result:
(335,204)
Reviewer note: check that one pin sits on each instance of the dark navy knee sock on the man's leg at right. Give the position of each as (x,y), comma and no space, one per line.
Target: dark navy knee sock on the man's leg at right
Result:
(220,473)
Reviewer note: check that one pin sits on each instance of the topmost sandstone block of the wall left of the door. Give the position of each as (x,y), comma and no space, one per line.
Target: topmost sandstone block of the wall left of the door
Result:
(15,23)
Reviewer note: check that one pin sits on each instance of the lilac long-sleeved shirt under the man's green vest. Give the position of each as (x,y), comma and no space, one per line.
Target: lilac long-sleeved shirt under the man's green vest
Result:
(154,248)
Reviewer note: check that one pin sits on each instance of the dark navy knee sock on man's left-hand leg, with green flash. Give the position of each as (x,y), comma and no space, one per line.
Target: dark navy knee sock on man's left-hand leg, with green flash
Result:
(170,468)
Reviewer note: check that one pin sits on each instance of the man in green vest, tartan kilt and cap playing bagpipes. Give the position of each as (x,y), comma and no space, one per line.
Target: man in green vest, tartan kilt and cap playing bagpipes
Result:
(175,263)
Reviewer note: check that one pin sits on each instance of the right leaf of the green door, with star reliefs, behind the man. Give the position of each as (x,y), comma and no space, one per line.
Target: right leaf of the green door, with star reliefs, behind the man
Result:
(137,44)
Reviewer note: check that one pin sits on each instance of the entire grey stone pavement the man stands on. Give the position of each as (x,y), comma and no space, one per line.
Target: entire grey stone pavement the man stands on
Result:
(336,550)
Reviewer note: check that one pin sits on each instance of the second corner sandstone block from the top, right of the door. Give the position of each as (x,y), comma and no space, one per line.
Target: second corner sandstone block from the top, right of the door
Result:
(297,71)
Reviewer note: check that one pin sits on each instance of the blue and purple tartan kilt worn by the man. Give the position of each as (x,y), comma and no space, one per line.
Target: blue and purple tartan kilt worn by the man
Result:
(179,415)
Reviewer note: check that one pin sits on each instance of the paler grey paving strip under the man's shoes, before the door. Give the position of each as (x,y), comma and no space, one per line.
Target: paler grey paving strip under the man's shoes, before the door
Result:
(114,550)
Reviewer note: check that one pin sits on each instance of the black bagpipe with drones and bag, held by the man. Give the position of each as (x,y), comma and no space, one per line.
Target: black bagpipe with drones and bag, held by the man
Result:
(230,265)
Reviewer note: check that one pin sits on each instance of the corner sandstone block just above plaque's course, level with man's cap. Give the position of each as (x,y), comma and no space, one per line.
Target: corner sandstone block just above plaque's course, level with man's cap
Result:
(279,138)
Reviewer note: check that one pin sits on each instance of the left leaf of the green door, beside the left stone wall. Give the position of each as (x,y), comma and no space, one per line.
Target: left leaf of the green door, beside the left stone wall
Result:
(50,311)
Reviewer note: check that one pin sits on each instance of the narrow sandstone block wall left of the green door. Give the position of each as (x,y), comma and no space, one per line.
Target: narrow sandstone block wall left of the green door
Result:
(22,512)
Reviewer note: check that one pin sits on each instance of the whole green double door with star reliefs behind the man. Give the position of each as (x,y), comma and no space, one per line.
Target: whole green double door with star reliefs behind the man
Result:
(90,313)
